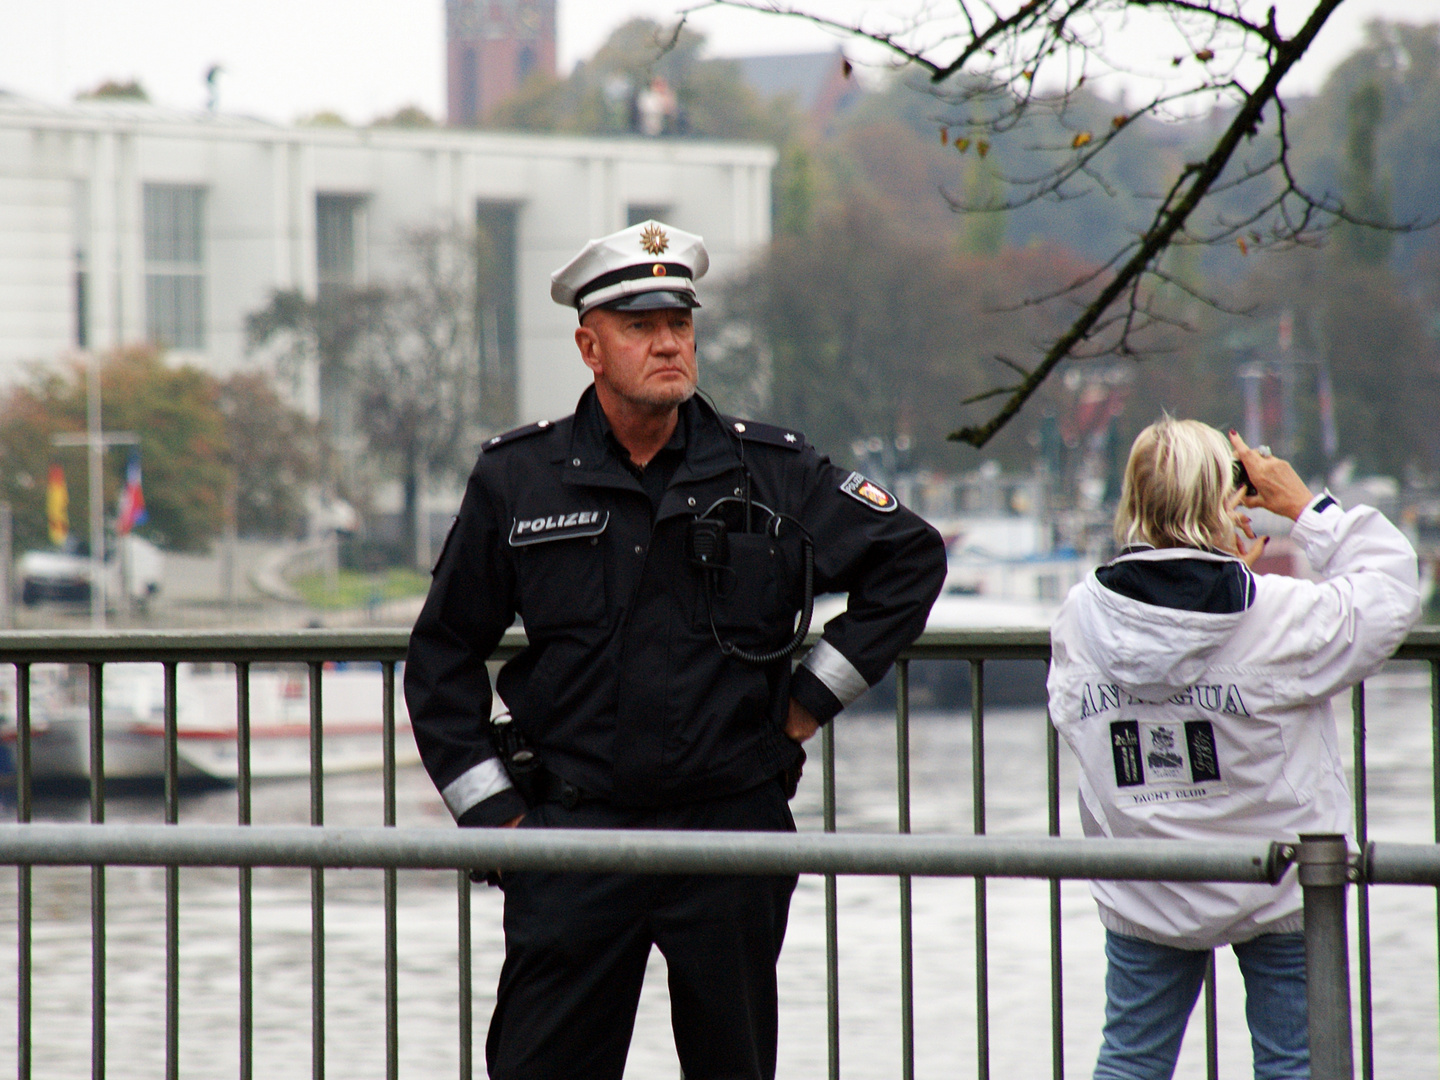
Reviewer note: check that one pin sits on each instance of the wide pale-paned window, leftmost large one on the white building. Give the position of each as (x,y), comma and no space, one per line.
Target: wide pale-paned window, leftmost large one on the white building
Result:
(175,266)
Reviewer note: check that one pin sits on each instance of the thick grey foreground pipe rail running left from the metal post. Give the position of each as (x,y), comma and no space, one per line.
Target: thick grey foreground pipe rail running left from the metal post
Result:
(639,852)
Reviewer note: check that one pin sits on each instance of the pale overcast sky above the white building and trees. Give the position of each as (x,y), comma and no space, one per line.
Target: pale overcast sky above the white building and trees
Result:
(365,58)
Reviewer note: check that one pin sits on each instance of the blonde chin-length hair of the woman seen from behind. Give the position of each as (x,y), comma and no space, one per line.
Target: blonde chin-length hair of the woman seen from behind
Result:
(1176,487)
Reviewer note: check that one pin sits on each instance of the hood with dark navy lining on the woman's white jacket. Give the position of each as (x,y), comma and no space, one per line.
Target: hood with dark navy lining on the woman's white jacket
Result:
(1153,620)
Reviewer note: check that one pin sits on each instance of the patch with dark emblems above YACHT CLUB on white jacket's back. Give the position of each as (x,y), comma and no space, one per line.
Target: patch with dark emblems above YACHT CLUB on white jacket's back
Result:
(1166,761)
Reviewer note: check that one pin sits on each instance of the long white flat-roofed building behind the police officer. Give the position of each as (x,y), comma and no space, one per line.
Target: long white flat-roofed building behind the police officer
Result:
(123,222)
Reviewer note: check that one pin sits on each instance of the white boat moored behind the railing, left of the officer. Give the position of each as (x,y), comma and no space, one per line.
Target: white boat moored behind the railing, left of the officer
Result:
(207,722)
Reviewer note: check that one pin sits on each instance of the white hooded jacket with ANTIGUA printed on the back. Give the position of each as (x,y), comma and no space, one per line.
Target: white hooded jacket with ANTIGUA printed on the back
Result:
(1197,699)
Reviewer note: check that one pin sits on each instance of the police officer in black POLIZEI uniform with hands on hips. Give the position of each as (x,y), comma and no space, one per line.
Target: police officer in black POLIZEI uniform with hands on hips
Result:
(659,555)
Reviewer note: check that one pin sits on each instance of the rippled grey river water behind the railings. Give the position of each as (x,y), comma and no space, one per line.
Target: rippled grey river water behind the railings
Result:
(1405,932)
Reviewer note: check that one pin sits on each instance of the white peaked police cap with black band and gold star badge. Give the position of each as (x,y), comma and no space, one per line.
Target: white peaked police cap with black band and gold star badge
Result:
(647,258)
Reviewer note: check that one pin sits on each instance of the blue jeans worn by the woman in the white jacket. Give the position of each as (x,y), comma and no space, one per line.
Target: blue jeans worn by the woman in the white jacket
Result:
(1151,990)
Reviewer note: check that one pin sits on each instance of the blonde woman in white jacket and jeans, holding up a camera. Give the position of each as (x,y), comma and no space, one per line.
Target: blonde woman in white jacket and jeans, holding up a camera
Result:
(1197,698)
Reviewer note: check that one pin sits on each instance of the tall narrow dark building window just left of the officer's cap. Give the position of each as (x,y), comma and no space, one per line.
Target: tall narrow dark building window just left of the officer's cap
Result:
(496,228)
